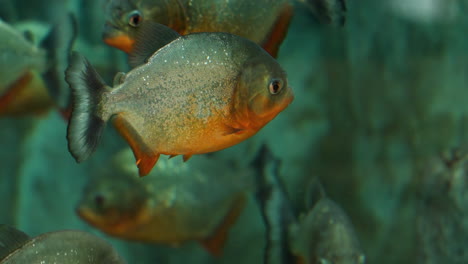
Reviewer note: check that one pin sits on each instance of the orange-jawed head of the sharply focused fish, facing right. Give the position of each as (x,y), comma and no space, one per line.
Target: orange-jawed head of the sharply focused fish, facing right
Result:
(262,90)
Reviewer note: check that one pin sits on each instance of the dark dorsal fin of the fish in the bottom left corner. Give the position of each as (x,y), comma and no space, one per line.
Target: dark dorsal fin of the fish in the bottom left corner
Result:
(10,240)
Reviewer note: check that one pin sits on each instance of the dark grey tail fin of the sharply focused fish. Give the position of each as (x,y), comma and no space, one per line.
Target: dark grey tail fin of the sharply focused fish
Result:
(85,125)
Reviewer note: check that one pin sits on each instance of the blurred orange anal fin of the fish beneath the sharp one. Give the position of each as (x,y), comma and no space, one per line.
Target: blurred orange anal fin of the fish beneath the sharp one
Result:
(215,243)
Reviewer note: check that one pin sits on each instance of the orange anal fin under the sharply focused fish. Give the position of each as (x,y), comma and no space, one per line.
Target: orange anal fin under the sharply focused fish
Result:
(145,157)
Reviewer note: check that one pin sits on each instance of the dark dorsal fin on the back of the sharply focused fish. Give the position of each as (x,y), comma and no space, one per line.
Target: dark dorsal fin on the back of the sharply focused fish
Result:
(151,36)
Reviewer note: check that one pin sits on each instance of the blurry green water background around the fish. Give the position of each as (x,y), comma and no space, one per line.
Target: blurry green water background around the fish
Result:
(379,116)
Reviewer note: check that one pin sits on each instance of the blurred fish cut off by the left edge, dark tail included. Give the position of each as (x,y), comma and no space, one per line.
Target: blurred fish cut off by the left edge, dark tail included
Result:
(27,71)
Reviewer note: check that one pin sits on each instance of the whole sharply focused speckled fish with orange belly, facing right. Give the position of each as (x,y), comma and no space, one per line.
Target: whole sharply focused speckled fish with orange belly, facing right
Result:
(198,93)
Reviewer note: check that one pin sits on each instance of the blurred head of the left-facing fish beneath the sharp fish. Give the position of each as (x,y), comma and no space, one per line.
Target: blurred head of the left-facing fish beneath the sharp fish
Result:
(113,201)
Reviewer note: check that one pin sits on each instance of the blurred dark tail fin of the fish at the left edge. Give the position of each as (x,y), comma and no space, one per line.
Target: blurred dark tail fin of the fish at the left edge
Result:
(58,45)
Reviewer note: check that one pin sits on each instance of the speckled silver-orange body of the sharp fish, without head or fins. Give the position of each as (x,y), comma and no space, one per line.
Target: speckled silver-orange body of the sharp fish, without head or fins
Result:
(176,88)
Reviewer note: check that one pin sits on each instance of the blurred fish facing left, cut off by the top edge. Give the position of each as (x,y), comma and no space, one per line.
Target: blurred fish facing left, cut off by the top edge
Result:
(263,21)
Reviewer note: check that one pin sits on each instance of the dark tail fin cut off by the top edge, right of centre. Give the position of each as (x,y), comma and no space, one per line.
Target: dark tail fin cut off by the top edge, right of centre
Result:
(327,11)
